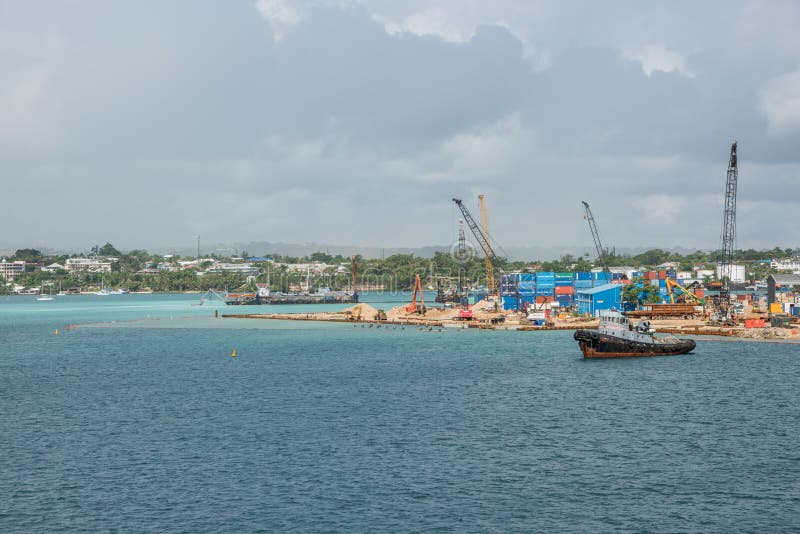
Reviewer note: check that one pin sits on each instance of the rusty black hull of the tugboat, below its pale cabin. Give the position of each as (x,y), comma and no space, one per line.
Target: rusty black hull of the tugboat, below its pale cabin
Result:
(596,345)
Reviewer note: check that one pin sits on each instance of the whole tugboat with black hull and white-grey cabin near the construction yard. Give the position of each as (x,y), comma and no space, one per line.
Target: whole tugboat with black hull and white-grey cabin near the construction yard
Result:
(617,337)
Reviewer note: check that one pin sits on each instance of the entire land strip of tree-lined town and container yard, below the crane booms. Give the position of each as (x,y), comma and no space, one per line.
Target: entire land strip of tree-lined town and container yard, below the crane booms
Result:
(675,291)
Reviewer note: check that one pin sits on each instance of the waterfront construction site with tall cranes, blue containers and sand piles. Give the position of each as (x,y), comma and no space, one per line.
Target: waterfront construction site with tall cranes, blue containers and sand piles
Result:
(673,302)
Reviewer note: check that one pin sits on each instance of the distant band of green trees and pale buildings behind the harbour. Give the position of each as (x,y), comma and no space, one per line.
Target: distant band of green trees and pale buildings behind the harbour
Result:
(142,271)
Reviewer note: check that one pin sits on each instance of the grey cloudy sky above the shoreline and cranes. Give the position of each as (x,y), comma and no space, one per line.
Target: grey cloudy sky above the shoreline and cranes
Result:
(356,121)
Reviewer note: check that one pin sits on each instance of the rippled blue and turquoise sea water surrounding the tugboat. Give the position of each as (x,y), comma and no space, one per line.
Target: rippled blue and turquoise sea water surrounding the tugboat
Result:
(143,422)
